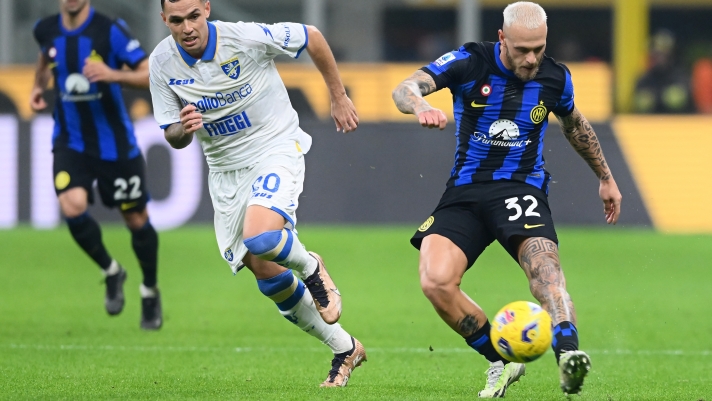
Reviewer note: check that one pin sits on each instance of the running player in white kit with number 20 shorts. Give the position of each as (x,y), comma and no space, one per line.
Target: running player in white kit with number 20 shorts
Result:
(217,82)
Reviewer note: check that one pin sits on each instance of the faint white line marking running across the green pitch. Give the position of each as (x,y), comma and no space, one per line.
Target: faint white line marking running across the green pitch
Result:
(139,348)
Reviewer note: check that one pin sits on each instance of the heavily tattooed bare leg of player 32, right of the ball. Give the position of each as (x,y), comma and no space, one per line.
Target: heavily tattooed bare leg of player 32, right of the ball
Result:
(539,258)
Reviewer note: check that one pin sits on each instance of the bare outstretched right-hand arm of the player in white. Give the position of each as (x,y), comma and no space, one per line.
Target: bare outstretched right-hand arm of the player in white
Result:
(342,109)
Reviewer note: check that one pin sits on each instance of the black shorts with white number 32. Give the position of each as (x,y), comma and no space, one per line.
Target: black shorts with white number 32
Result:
(472,216)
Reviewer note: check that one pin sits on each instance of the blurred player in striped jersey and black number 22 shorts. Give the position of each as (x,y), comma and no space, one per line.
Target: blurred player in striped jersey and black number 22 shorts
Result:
(85,52)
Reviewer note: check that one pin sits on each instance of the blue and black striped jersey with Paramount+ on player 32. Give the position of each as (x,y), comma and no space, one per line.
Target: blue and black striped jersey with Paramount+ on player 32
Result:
(500,120)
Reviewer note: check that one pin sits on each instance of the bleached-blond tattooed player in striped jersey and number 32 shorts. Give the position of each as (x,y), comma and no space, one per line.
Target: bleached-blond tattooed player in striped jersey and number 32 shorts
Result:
(503,93)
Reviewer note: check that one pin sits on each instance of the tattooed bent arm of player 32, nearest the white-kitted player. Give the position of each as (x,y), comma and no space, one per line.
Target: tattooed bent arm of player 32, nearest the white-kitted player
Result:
(408,96)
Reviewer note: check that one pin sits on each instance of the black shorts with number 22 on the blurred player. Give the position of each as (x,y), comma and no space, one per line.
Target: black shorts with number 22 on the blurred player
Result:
(121,183)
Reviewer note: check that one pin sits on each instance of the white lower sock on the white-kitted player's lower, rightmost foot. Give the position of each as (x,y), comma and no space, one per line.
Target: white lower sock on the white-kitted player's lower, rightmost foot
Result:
(305,316)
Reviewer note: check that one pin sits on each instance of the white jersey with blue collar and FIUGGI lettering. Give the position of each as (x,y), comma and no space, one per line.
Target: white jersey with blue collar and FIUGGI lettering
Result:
(235,85)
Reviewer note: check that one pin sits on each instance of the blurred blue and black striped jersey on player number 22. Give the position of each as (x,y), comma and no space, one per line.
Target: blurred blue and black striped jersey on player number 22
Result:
(90,118)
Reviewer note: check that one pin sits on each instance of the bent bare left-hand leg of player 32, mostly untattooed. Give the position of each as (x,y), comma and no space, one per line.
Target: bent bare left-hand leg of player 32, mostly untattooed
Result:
(442,265)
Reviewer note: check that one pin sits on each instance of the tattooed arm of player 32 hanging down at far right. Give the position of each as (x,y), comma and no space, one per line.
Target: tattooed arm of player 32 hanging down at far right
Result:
(580,134)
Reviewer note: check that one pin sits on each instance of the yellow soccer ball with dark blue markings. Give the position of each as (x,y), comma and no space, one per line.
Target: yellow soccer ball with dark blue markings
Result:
(521,331)
